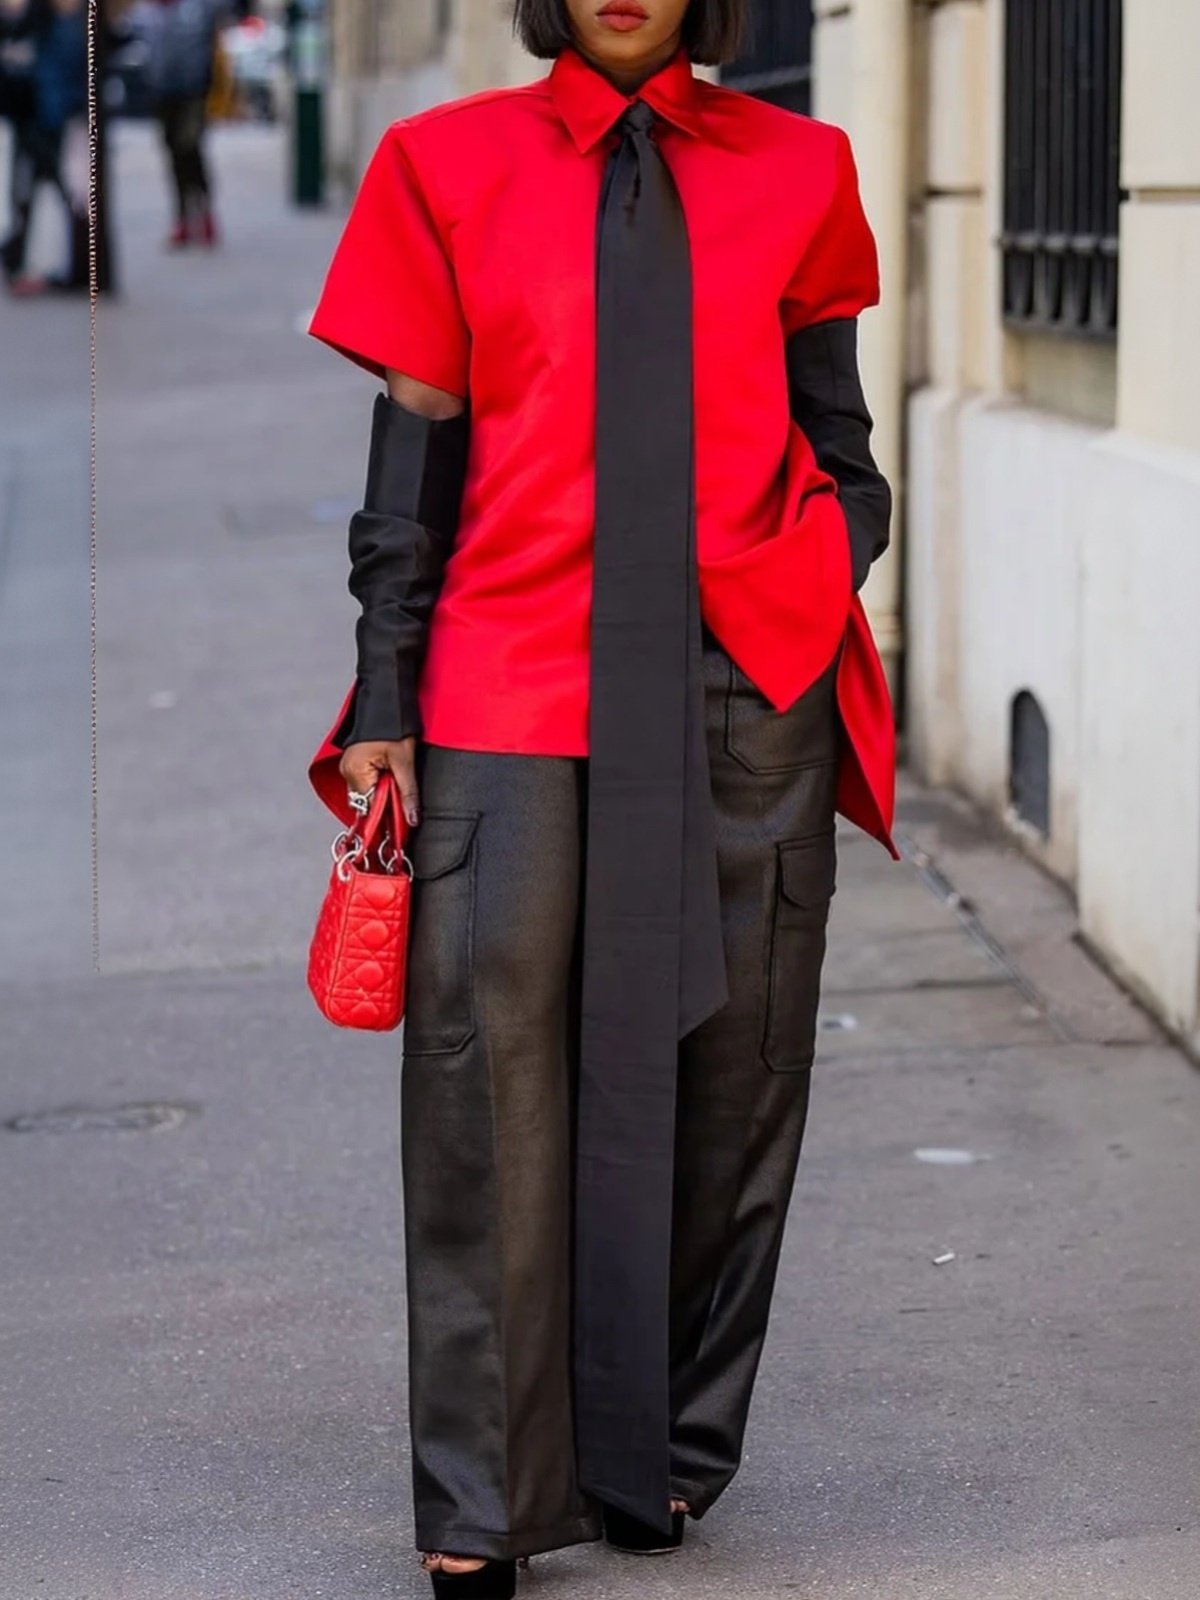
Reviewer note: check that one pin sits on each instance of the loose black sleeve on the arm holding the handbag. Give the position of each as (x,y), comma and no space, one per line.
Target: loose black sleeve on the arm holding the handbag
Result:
(399,548)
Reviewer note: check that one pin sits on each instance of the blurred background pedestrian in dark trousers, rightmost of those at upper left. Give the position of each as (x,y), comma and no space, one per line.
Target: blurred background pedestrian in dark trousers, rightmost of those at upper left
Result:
(183,41)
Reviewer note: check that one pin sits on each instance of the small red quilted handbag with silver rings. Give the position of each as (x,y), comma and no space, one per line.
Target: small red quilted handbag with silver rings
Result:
(359,950)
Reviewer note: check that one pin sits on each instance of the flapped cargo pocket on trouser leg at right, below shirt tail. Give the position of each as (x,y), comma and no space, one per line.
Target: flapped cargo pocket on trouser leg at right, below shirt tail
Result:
(806,881)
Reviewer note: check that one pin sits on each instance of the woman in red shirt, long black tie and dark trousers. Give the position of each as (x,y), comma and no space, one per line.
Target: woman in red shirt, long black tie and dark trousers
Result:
(620,498)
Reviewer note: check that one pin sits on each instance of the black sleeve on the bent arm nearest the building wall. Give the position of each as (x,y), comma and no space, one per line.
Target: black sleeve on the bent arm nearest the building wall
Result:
(828,402)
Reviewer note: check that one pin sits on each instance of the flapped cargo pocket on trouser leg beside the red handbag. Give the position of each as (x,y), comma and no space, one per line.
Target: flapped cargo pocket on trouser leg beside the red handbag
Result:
(441,1012)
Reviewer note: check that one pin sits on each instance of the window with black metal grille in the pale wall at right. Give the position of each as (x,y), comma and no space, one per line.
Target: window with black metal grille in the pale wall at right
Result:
(1063,71)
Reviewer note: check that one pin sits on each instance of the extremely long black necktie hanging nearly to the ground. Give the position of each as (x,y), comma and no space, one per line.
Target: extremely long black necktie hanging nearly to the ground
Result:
(654,956)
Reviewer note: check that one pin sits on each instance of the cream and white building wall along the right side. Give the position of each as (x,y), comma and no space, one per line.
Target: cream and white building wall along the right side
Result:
(1054,495)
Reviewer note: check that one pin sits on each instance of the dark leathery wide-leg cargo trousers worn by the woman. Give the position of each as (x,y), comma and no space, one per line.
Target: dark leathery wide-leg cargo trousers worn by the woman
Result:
(487,1114)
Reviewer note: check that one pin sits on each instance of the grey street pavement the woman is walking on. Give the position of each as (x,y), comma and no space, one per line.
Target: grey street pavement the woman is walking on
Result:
(202,1377)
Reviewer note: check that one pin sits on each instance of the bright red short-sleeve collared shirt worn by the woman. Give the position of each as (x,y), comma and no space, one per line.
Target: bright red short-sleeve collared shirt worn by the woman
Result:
(470,262)
